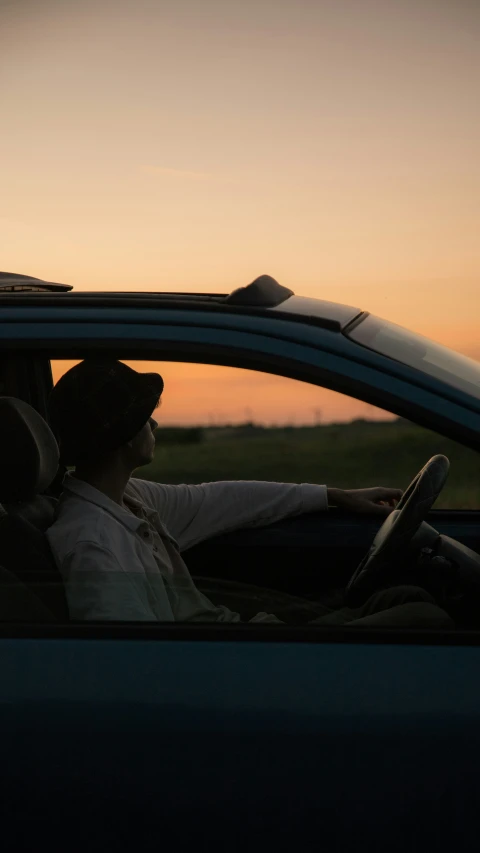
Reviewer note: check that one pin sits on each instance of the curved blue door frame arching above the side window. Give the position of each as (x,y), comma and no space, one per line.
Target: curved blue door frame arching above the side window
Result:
(292,349)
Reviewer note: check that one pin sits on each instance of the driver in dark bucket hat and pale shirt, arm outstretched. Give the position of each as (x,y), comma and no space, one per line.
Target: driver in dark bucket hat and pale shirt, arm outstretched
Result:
(117,539)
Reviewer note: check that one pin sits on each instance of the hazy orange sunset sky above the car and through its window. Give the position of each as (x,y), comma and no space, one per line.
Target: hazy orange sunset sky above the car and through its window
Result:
(196,144)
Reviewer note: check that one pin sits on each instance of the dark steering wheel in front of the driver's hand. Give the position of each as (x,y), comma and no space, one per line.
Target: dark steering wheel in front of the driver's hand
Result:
(391,544)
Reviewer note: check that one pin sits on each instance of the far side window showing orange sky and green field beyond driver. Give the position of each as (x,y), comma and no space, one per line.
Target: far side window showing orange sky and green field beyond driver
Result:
(222,423)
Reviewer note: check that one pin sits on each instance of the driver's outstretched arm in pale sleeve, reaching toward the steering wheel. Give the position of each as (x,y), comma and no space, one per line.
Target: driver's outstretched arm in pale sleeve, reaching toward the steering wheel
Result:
(194,513)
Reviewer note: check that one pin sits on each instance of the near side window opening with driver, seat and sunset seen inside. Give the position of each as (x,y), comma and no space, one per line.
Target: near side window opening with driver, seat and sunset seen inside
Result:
(228,521)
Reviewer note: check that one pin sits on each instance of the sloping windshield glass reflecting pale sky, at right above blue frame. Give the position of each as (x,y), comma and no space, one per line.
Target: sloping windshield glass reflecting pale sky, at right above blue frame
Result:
(414,350)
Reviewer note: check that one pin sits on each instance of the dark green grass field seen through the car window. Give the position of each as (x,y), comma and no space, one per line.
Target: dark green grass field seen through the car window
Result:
(361,453)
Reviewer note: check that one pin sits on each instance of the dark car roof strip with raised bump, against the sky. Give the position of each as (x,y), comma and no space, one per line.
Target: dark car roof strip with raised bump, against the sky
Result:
(262,297)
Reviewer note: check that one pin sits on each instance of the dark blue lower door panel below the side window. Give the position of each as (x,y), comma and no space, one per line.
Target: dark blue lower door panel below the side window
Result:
(296,746)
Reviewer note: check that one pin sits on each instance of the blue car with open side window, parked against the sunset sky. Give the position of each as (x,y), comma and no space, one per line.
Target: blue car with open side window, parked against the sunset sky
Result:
(242,737)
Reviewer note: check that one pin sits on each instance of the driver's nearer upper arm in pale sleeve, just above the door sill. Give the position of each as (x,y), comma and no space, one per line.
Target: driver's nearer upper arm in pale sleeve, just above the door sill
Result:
(97,588)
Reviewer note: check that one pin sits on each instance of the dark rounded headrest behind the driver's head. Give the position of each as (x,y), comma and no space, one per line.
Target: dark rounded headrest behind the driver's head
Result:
(28,451)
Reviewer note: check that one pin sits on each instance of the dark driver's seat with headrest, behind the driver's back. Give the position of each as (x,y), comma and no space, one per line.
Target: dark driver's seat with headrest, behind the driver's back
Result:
(28,464)
